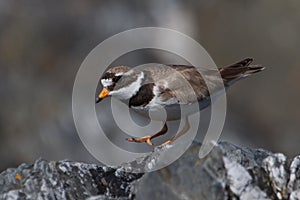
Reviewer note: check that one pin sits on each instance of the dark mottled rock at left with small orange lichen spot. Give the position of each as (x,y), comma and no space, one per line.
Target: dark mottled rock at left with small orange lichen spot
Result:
(66,180)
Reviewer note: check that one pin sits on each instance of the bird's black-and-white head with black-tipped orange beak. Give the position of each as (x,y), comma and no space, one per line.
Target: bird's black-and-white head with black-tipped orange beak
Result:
(121,82)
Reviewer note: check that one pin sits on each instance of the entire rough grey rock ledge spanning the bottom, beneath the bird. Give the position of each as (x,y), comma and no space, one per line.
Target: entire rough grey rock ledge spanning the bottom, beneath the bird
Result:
(228,172)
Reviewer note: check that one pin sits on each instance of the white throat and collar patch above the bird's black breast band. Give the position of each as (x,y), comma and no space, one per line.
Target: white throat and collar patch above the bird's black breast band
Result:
(129,90)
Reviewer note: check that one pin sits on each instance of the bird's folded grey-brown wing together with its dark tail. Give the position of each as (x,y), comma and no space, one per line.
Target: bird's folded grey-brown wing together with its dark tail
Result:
(184,84)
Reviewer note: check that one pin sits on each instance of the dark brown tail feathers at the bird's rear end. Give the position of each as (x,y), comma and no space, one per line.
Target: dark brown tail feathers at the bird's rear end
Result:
(239,70)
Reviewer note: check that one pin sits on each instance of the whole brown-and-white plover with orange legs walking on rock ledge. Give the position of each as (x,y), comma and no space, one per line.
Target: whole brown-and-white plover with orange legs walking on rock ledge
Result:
(170,87)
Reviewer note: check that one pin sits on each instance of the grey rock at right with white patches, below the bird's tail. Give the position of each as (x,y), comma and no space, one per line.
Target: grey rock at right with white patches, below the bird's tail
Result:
(228,172)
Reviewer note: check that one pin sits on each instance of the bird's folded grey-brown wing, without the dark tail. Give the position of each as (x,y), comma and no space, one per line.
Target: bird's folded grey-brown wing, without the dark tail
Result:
(183,84)
